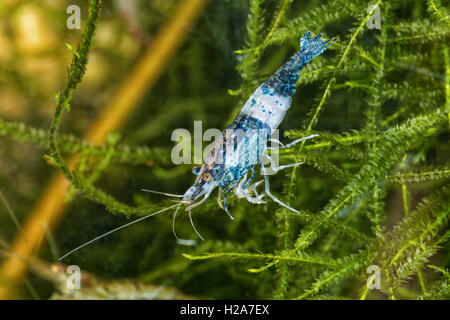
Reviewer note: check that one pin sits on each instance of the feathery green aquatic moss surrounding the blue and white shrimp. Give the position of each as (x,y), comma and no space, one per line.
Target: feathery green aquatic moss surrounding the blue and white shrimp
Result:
(372,197)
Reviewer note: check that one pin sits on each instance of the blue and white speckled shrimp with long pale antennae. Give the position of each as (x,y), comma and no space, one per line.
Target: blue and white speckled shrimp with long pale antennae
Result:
(244,143)
